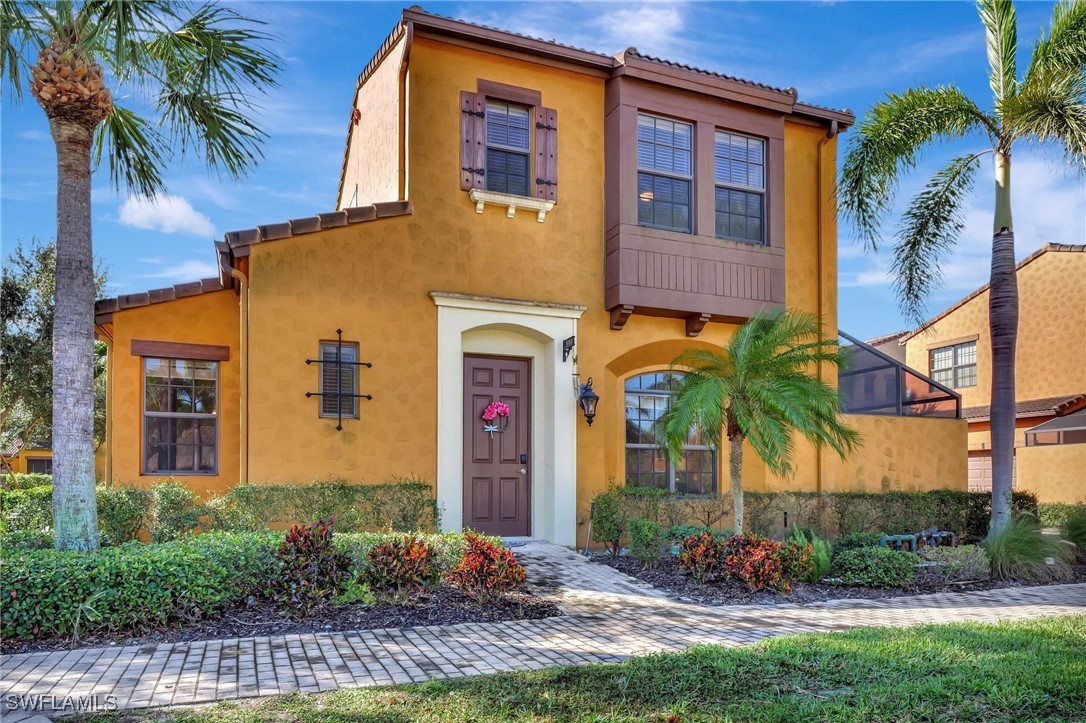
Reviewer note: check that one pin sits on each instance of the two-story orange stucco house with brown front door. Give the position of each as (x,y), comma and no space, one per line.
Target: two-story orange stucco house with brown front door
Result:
(516,219)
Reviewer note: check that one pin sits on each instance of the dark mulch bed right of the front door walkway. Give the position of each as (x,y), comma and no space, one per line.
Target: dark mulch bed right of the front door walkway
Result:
(666,576)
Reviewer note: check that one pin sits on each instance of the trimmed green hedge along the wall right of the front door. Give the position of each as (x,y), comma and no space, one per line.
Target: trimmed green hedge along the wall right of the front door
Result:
(834,515)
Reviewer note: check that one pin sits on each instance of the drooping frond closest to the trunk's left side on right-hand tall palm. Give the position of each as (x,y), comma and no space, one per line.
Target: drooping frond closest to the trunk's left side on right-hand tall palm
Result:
(928,231)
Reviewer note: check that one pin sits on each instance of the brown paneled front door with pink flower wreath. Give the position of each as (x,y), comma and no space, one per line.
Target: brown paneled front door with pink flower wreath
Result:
(497,483)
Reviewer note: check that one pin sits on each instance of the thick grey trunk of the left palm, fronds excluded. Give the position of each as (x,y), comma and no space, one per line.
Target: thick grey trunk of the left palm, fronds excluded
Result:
(75,511)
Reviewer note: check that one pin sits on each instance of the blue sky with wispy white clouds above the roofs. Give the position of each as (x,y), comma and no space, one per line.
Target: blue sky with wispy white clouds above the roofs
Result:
(842,55)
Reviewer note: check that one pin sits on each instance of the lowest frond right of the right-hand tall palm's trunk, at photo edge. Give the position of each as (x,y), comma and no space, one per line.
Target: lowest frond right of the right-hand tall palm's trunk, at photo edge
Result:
(1053,109)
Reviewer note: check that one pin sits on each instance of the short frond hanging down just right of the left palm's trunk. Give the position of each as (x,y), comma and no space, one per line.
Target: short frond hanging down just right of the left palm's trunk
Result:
(135,151)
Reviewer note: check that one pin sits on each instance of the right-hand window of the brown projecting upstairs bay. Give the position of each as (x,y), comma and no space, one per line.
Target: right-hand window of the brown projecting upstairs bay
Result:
(740,176)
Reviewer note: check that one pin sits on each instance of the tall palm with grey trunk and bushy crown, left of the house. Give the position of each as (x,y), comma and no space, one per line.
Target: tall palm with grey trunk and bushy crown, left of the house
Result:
(194,68)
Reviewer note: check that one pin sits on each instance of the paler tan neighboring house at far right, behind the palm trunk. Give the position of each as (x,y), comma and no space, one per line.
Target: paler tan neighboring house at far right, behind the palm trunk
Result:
(955,348)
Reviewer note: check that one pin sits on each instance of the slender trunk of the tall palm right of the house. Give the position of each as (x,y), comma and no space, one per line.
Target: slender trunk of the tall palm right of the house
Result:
(1003,324)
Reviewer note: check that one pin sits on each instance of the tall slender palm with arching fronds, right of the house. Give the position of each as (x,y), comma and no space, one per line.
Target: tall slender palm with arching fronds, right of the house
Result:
(1046,106)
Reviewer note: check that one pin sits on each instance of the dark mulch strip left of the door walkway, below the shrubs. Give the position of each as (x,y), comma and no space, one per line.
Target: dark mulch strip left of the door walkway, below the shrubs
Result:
(441,607)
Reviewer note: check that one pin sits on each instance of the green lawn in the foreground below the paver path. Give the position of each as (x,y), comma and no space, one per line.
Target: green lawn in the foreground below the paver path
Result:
(1032,670)
